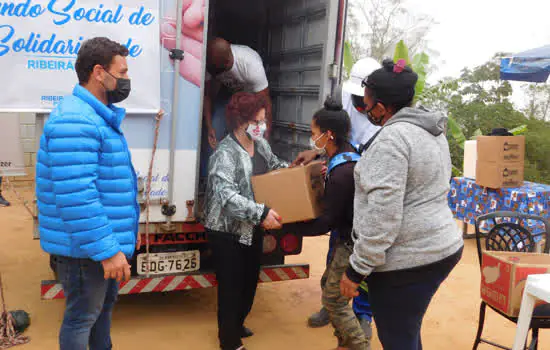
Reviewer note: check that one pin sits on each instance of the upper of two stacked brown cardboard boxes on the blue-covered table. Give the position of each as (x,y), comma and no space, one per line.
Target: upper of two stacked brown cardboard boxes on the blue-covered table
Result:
(501,149)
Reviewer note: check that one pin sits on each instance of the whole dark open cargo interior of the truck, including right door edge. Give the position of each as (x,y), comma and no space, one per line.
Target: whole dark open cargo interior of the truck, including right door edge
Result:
(301,44)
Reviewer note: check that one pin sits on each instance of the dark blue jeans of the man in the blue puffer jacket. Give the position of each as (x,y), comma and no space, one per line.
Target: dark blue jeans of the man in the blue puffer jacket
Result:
(89,305)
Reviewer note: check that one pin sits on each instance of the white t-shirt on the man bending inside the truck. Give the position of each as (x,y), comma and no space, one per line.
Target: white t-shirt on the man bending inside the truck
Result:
(247,73)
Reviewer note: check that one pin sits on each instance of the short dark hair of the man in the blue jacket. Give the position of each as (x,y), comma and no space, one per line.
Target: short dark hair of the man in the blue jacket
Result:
(96,51)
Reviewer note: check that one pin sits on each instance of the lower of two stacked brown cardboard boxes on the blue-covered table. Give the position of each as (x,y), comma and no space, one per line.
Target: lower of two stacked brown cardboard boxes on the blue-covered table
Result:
(496,175)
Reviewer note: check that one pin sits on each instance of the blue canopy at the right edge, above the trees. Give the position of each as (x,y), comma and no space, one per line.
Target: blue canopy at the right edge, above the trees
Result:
(531,66)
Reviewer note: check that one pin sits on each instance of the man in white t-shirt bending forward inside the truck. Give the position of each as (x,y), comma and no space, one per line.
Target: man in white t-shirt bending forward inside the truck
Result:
(230,68)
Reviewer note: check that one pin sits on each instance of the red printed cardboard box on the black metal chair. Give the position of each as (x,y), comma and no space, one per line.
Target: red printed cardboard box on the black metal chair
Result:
(503,277)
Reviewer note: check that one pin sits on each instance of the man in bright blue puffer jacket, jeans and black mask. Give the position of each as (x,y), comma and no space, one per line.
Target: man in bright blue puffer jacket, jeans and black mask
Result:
(86,189)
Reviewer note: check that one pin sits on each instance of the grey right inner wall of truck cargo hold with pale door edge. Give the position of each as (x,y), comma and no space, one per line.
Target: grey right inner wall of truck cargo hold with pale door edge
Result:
(305,48)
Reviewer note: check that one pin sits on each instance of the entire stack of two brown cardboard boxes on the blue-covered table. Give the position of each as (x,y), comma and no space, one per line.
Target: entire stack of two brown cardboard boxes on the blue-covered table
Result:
(500,161)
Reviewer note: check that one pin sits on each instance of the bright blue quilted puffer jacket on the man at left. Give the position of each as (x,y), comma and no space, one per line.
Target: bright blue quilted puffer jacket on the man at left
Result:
(85,183)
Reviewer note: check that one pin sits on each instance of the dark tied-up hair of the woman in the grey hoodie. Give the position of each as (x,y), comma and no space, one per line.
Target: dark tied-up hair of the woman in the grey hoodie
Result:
(393,85)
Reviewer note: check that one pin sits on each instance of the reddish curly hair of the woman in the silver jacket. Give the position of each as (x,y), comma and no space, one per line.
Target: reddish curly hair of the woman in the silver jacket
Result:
(243,107)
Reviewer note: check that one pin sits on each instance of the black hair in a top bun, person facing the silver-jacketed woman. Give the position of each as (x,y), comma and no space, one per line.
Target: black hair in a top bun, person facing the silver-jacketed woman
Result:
(334,118)
